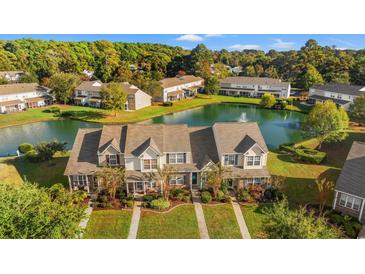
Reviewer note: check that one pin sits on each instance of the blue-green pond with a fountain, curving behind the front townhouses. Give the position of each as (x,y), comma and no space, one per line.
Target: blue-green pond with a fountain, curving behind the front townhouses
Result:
(277,126)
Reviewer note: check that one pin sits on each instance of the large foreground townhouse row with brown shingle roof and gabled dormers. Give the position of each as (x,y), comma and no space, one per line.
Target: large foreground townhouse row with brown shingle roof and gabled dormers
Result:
(142,149)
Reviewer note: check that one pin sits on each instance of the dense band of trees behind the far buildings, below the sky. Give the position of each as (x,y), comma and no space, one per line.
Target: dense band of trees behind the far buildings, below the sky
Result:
(143,64)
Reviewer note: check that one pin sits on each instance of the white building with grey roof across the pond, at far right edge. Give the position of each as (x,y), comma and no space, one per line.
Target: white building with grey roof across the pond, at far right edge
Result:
(342,94)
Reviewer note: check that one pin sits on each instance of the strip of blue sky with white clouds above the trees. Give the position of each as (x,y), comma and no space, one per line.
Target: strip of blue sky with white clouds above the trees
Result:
(280,42)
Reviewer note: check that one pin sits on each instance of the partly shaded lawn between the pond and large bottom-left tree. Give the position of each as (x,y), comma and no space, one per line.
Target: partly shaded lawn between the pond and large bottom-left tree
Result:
(16,170)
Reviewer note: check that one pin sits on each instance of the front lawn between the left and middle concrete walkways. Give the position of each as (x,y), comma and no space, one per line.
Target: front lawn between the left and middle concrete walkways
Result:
(180,223)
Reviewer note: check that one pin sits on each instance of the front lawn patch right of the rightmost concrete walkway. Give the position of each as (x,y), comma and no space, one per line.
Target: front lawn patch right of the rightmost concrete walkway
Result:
(255,219)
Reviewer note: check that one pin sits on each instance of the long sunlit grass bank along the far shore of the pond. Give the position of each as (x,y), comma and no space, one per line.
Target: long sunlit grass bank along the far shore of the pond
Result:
(109,117)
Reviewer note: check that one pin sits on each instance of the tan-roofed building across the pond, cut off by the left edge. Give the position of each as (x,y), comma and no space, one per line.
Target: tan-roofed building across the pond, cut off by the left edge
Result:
(21,96)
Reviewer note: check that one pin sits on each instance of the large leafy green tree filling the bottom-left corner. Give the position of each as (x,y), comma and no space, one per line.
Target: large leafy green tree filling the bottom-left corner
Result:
(30,212)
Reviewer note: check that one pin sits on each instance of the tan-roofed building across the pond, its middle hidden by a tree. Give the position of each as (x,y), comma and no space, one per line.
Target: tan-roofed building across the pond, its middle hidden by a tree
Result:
(88,93)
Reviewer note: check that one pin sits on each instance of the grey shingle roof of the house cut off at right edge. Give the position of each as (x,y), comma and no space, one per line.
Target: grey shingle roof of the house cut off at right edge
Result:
(352,178)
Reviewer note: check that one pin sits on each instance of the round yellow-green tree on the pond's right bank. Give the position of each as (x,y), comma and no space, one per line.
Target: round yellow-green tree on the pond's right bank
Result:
(326,122)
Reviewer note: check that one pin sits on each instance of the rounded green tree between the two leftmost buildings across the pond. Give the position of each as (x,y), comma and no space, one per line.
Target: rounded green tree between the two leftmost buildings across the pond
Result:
(63,85)
